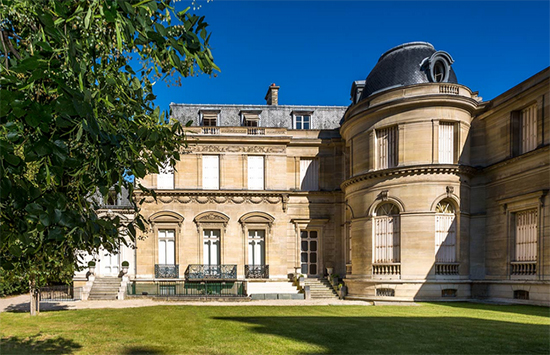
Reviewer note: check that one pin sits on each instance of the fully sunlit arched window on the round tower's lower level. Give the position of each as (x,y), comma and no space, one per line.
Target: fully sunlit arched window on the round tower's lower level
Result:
(386,234)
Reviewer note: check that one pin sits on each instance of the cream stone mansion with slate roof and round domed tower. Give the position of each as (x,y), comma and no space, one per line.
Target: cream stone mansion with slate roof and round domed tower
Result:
(419,190)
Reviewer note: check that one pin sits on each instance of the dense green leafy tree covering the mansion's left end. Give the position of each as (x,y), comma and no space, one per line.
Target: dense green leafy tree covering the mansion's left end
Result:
(76,119)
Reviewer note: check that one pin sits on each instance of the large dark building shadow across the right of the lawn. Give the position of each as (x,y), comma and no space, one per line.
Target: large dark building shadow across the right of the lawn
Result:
(405,335)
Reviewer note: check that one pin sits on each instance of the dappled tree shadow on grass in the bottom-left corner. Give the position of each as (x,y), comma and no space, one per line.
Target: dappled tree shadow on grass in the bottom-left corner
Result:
(35,345)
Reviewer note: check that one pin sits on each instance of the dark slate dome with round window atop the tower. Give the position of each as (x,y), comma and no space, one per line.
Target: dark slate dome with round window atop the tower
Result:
(409,64)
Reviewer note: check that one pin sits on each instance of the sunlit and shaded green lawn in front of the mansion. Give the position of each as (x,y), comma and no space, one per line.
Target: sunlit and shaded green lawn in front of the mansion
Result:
(455,328)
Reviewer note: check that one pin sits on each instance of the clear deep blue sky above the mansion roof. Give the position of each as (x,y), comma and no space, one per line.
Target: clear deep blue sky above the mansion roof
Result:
(314,50)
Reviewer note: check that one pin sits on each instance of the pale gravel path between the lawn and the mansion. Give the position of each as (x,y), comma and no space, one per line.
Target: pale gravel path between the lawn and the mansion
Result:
(21,303)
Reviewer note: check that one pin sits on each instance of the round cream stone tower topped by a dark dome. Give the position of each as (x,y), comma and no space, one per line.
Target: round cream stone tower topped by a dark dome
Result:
(407,189)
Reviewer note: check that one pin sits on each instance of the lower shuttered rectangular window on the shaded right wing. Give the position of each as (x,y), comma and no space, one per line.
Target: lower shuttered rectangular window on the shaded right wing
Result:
(526,233)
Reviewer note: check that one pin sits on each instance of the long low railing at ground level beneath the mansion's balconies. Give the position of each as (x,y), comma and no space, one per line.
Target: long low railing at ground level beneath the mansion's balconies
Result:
(188,289)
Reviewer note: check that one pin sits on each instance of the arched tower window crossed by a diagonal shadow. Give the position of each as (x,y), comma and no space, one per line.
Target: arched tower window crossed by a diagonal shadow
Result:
(445,233)
